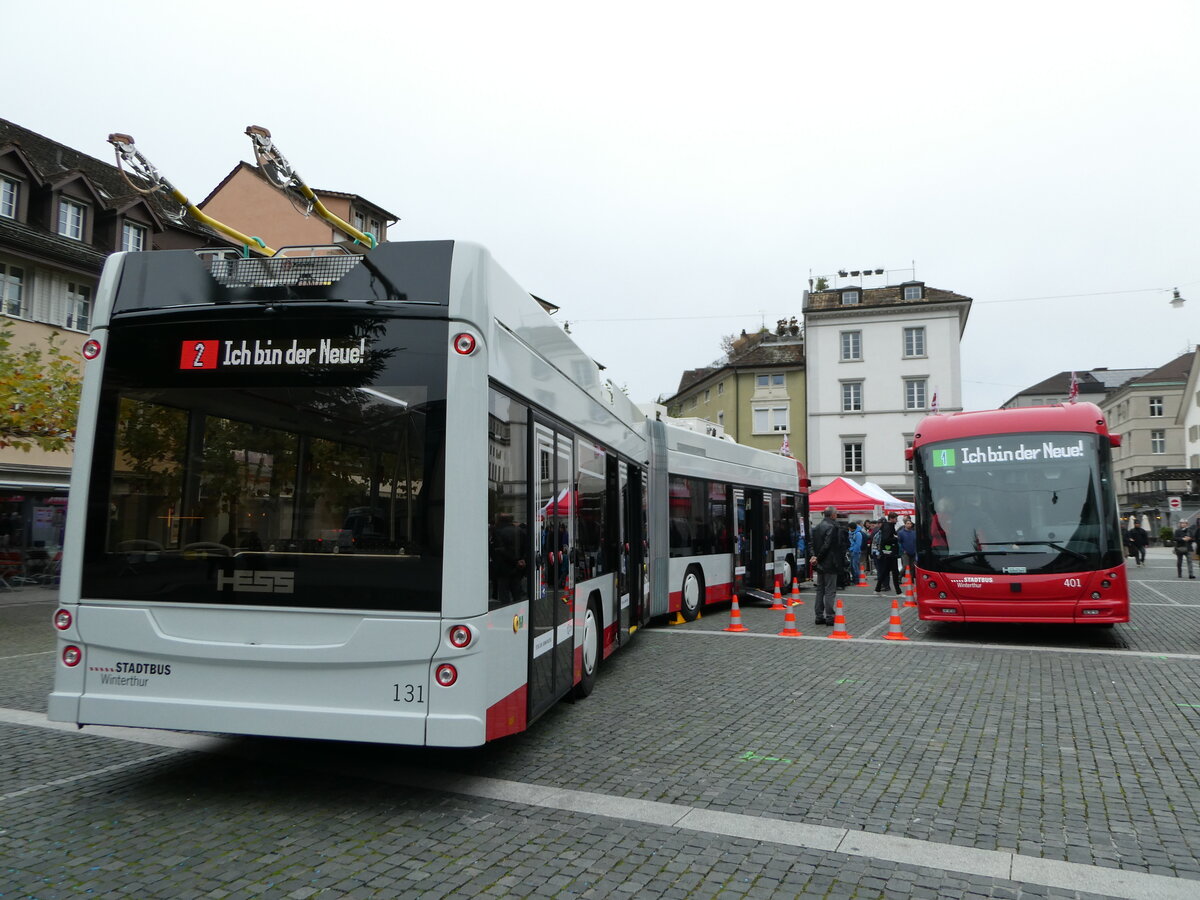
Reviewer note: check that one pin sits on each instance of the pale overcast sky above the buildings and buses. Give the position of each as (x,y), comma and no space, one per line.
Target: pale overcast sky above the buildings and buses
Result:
(671,173)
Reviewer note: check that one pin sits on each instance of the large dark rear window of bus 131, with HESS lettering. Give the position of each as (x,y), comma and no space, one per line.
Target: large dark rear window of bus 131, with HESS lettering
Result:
(326,493)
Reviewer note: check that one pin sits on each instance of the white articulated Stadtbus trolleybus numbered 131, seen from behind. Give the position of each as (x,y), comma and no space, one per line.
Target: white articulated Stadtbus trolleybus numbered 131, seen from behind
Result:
(370,496)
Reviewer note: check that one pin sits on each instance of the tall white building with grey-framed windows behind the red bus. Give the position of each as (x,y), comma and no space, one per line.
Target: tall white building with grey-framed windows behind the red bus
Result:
(877,359)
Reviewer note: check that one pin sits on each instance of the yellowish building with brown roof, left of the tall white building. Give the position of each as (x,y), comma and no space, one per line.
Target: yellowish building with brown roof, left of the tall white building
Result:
(757,397)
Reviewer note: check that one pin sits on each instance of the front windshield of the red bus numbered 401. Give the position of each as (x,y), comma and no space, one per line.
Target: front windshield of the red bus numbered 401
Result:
(1015,505)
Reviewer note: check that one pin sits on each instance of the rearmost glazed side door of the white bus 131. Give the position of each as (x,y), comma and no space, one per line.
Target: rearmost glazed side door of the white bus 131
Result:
(551,619)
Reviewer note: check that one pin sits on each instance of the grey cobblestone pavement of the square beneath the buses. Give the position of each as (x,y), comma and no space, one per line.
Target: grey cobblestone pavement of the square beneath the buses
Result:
(1052,746)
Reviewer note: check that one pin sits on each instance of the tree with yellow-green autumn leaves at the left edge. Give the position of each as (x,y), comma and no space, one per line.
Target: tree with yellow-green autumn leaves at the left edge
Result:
(39,394)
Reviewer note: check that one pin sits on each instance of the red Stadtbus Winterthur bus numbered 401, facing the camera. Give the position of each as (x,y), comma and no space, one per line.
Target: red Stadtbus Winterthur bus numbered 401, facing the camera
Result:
(1017,518)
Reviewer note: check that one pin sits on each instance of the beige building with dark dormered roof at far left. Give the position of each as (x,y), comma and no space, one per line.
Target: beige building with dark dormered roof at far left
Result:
(62,214)
